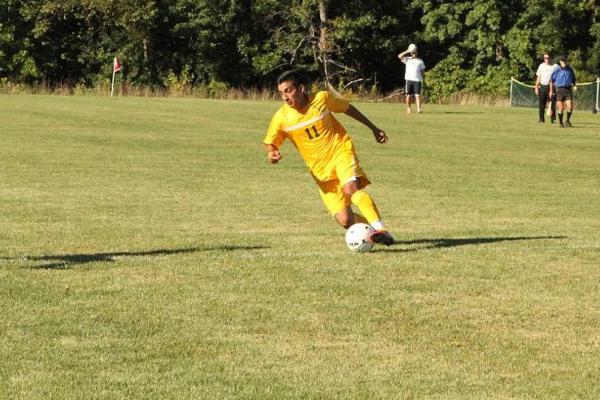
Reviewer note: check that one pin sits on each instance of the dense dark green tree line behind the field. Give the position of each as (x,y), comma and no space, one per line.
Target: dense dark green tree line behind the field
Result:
(468,46)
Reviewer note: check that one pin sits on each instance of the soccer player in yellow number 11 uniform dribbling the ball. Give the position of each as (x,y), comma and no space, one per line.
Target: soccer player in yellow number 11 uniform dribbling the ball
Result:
(308,121)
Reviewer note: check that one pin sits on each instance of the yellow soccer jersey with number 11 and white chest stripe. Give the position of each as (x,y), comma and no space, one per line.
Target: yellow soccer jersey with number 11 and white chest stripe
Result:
(316,134)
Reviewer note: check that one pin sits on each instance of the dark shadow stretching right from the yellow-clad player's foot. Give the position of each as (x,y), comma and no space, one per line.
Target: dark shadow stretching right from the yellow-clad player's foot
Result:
(428,244)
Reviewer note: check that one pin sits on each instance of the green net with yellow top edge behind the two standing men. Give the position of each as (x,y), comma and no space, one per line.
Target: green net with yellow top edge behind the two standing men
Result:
(585,97)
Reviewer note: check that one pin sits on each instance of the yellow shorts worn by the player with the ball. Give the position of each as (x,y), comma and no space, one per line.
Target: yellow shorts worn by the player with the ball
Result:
(346,168)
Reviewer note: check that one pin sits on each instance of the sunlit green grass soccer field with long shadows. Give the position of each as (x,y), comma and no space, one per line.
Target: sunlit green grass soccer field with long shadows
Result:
(148,250)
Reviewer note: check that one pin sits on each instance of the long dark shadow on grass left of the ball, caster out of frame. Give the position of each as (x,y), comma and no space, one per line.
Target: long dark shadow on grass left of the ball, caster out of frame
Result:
(63,261)
